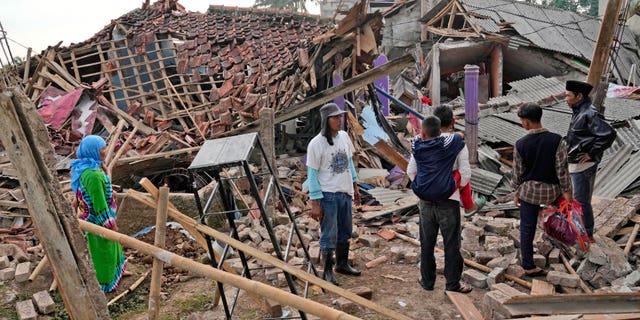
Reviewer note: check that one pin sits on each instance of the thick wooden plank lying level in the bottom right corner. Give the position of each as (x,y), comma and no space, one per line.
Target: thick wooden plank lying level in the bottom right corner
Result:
(593,303)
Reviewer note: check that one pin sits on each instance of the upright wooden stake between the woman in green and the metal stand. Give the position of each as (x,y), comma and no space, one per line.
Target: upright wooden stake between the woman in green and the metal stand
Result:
(156,271)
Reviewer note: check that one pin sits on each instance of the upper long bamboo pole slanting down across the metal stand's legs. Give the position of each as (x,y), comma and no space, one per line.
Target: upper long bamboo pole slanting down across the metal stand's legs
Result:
(293,270)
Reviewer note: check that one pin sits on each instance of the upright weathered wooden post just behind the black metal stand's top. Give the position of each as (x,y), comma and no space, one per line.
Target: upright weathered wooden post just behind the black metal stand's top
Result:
(268,139)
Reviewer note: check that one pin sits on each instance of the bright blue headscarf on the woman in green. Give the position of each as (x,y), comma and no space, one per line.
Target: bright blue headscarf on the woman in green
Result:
(88,158)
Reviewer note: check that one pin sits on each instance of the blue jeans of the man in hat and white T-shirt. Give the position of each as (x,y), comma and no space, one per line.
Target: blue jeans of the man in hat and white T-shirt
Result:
(336,224)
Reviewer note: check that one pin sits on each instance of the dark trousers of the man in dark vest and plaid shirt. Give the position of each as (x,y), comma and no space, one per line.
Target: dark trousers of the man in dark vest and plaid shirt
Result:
(528,222)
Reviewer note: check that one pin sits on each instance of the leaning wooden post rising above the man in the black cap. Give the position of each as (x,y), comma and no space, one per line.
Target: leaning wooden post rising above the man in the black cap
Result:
(602,50)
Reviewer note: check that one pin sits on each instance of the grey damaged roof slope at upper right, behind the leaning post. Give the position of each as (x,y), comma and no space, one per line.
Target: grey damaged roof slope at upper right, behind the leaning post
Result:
(551,29)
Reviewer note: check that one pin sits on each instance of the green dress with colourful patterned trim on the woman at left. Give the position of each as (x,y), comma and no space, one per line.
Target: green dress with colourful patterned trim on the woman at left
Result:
(98,206)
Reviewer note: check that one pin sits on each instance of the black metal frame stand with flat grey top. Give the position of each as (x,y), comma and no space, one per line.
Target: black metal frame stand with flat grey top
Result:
(216,156)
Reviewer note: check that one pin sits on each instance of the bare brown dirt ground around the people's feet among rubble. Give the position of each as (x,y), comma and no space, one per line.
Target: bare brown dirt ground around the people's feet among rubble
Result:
(186,297)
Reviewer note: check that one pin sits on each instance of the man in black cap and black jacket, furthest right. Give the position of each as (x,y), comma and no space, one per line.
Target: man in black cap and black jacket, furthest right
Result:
(588,137)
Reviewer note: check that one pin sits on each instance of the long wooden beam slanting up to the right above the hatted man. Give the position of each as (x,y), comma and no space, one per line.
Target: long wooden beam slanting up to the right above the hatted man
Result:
(360,80)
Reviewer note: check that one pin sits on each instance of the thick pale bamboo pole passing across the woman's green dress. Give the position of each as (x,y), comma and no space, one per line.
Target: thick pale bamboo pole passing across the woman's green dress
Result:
(177,261)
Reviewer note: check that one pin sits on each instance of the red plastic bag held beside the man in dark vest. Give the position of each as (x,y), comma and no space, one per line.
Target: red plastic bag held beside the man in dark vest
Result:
(564,223)
